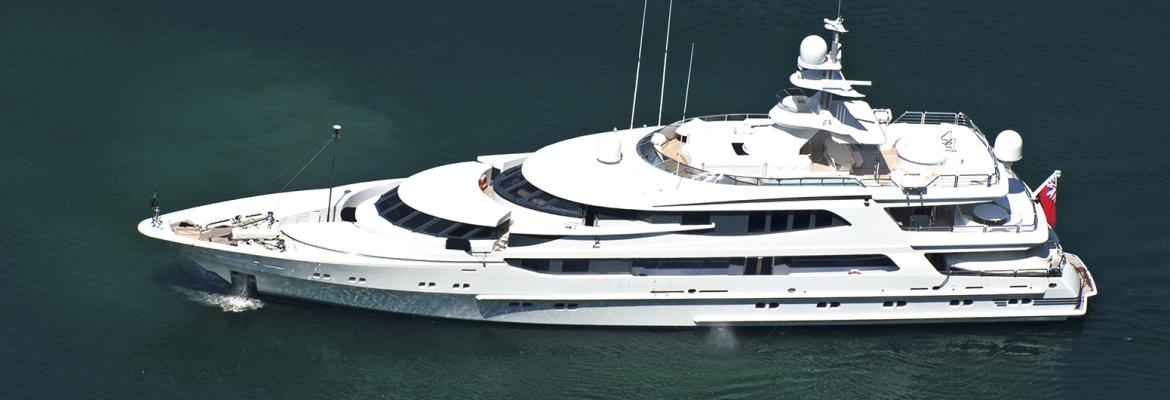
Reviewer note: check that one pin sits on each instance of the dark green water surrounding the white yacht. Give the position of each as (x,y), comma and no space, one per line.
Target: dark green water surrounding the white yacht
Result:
(102,104)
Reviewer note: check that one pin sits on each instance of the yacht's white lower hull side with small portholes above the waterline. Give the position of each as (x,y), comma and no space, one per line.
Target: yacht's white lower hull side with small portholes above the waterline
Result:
(283,278)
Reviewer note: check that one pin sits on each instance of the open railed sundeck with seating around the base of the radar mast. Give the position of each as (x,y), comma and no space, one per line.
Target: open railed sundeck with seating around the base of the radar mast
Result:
(745,149)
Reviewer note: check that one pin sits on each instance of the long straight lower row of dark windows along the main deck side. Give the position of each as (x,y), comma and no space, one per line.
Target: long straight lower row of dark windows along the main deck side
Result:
(731,266)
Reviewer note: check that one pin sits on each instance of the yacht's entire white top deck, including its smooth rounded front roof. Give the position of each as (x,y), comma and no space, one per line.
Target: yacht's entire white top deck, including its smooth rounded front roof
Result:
(714,176)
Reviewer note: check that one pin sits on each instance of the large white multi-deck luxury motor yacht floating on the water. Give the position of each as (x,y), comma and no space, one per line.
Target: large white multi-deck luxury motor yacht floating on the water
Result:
(824,211)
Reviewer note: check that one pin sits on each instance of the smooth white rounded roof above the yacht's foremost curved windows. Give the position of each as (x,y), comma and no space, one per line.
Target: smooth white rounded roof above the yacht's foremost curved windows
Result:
(452,192)
